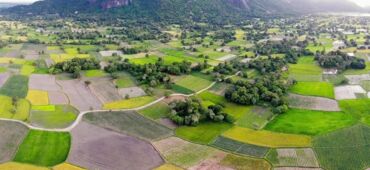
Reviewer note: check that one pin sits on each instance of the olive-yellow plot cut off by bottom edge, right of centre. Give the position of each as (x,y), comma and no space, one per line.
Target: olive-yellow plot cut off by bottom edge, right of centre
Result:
(245,163)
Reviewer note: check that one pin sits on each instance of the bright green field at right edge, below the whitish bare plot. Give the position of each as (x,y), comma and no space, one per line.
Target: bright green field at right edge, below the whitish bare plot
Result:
(359,108)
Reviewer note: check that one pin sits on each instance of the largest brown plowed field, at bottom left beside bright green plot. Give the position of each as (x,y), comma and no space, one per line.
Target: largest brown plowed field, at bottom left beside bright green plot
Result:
(97,148)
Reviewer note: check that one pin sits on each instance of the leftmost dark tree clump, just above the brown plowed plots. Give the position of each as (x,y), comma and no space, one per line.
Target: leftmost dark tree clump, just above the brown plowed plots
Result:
(74,66)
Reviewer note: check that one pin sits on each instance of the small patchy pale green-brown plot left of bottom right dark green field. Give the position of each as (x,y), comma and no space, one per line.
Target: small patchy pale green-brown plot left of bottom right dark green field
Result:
(304,157)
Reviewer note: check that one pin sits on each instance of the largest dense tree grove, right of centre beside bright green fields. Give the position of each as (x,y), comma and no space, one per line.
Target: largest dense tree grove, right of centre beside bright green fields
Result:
(268,89)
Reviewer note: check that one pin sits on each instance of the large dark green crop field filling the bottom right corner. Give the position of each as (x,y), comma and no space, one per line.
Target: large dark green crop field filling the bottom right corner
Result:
(344,149)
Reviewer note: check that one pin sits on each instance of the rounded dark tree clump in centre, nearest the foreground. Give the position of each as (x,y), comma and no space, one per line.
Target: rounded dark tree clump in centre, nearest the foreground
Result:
(191,112)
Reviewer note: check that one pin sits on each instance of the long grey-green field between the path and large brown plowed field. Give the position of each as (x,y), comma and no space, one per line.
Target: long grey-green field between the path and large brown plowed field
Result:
(129,123)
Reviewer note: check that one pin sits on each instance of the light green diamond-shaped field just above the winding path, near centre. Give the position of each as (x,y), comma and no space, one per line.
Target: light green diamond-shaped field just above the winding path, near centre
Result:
(193,83)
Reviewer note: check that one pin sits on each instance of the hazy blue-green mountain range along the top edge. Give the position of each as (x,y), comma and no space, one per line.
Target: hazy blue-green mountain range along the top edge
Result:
(174,9)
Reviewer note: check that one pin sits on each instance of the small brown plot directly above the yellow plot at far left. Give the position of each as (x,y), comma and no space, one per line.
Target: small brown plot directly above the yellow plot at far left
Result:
(43,82)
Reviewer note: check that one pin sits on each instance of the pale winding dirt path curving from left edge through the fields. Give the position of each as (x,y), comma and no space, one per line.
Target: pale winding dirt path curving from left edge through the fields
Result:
(80,116)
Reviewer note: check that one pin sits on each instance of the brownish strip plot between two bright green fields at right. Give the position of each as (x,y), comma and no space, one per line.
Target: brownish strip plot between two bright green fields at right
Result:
(313,103)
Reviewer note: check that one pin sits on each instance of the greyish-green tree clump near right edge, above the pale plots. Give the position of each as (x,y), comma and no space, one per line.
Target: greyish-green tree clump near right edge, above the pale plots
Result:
(340,61)
